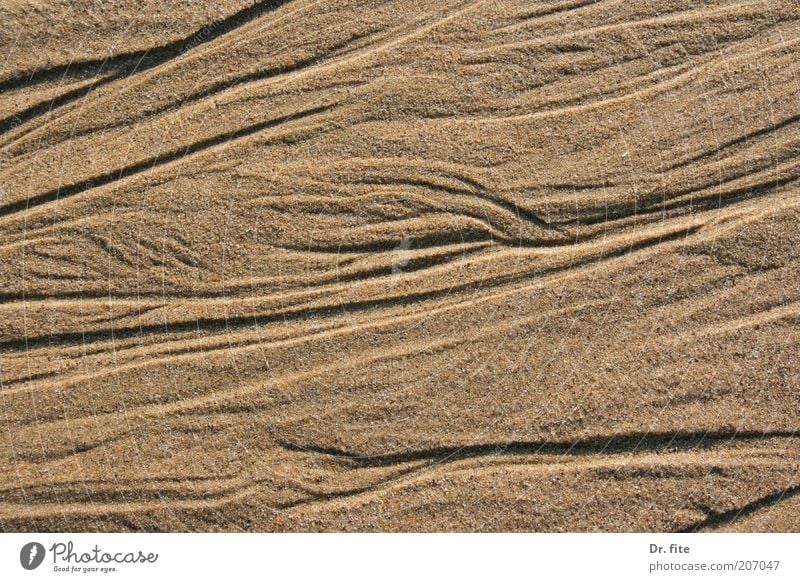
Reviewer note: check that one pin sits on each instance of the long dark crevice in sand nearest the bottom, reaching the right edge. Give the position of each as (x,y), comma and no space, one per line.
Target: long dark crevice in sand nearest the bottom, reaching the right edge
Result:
(606,445)
